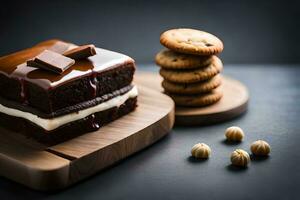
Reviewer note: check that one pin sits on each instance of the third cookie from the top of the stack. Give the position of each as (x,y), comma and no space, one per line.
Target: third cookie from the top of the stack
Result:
(193,75)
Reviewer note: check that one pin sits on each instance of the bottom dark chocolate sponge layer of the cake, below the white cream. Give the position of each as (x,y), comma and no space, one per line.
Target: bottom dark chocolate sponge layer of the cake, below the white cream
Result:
(88,124)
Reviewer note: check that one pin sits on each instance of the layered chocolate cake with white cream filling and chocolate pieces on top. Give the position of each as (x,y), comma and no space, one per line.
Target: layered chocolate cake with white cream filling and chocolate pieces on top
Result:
(52,107)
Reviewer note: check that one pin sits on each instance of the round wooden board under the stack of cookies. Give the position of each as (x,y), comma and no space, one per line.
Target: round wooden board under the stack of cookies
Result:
(233,103)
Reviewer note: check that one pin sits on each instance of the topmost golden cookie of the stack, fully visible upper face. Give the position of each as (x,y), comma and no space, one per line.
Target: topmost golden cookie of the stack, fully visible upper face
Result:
(191,41)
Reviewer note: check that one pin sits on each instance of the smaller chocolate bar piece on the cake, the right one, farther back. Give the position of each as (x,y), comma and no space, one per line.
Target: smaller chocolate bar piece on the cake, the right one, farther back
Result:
(81,52)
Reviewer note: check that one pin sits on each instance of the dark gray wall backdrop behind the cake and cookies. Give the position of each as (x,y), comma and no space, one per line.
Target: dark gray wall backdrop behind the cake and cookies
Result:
(253,31)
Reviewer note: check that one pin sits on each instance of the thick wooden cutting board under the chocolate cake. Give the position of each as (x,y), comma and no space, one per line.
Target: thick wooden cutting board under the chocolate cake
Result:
(51,168)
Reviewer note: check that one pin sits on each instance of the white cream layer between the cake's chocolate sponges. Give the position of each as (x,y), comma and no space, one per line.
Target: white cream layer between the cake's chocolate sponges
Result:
(53,123)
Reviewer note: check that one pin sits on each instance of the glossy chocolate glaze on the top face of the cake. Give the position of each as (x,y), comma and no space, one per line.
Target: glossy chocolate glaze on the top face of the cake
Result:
(14,65)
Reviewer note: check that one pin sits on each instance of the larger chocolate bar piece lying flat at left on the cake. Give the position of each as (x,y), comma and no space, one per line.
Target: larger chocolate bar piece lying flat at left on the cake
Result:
(51,61)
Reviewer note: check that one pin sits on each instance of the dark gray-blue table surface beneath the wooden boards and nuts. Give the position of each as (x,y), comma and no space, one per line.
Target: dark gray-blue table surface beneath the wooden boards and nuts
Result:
(165,170)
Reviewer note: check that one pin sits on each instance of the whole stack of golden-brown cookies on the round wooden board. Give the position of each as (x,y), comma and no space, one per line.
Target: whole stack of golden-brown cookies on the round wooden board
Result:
(190,67)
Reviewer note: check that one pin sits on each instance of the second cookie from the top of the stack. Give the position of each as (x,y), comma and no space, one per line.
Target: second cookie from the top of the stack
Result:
(172,60)
